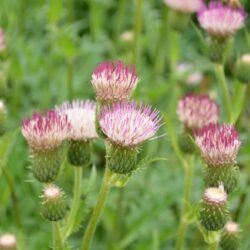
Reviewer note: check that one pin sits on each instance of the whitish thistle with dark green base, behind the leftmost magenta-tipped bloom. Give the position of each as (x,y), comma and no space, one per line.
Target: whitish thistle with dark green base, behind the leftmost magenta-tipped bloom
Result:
(81,116)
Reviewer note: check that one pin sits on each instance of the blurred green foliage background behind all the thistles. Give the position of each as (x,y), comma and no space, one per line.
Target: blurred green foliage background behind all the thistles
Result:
(52,48)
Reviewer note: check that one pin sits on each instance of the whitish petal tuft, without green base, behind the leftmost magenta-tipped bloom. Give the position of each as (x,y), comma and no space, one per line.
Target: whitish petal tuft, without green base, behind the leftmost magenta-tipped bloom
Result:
(81,116)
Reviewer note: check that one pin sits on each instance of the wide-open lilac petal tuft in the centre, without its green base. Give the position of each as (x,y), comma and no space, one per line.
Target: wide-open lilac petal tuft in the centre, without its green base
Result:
(127,124)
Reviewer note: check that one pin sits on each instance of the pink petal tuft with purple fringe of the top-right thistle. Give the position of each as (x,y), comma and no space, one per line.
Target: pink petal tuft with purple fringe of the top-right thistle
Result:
(221,21)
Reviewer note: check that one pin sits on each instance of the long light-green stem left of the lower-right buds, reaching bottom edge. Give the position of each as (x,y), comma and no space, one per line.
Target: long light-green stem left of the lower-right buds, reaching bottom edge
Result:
(187,191)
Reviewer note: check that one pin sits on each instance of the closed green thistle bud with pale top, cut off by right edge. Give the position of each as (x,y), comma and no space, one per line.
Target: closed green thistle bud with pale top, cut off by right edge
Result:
(243,69)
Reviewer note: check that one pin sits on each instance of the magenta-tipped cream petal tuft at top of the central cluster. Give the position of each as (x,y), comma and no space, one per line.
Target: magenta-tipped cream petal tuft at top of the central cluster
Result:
(114,81)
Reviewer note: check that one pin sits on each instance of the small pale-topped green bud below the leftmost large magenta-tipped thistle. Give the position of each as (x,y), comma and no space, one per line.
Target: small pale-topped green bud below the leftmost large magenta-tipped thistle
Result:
(53,205)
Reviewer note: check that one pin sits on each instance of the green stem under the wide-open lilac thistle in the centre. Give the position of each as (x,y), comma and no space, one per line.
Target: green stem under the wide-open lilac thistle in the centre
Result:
(89,233)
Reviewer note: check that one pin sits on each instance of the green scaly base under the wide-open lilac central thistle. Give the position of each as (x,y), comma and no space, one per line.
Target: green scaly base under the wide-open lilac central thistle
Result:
(121,160)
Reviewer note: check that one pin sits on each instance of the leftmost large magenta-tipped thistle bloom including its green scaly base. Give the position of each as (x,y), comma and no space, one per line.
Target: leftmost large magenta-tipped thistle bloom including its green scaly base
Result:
(45,135)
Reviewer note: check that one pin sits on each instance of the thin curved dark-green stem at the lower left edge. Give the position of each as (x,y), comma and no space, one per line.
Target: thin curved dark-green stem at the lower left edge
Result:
(13,196)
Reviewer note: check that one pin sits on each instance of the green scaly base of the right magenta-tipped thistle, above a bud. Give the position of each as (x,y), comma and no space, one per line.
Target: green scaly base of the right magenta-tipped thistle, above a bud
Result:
(228,175)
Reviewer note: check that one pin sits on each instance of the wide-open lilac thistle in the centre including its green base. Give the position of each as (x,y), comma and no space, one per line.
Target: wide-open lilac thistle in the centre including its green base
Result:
(127,126)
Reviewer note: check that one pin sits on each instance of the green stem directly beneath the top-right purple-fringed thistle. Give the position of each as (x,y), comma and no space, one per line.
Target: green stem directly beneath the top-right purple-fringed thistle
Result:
(220,74)
